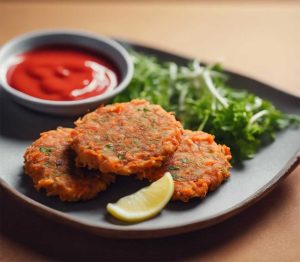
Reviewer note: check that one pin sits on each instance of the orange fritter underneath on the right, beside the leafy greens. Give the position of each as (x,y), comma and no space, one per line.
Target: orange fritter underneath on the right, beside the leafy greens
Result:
(197,166)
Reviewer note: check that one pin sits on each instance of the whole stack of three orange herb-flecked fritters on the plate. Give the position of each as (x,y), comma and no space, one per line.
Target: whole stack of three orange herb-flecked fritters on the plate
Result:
(134,138)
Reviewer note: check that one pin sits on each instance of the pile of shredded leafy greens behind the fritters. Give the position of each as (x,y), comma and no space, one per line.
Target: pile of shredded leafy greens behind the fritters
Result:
(202,100)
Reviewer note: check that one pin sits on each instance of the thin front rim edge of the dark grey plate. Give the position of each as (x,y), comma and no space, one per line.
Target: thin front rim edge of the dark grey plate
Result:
(143,234)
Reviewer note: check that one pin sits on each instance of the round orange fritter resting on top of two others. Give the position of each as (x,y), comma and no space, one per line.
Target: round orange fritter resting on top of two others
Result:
(126,138)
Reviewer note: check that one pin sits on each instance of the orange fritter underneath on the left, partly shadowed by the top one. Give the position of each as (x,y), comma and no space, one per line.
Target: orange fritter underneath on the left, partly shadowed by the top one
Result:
(50,162)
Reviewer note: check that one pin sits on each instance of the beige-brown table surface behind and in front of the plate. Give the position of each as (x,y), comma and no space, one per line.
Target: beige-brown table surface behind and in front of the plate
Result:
(256,38)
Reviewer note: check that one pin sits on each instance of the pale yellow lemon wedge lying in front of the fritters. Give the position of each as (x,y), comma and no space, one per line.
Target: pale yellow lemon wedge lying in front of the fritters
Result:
(144,203)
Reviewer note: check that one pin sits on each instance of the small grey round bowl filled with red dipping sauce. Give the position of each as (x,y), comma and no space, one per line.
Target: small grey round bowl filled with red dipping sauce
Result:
(64,72)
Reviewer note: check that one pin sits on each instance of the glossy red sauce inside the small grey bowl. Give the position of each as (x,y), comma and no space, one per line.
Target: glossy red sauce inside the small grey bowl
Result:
(62,73)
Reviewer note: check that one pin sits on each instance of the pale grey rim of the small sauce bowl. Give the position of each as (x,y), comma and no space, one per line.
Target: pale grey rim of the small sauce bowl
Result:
(50,33)
